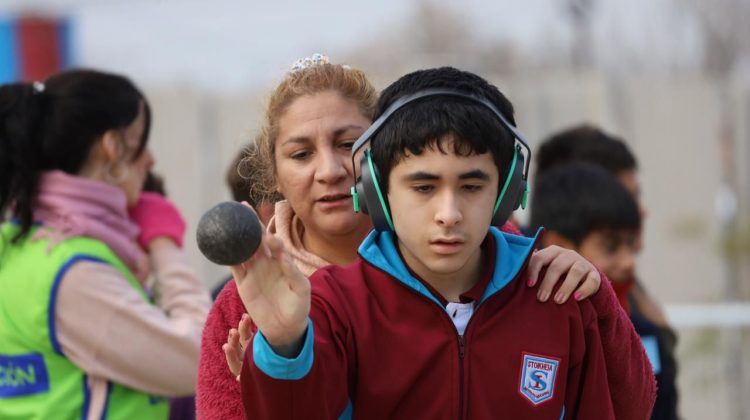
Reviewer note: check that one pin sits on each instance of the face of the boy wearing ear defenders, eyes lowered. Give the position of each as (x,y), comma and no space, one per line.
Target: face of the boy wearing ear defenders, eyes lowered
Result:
(442,208)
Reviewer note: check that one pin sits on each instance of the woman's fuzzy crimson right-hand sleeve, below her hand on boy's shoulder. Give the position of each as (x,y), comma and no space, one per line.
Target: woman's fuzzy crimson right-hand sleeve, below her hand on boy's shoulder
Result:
(631,378)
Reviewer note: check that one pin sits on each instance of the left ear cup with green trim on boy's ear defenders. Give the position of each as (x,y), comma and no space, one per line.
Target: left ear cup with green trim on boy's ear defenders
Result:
(369,195)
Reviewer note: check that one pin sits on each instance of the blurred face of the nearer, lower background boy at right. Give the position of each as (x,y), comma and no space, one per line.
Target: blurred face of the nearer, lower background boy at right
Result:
(611,252)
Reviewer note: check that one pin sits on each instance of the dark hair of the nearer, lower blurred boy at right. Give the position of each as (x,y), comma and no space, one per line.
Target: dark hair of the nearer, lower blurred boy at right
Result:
(579,198)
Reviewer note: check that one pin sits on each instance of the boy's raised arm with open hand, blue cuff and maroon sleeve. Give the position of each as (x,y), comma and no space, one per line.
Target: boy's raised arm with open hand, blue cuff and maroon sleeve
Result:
(296,365)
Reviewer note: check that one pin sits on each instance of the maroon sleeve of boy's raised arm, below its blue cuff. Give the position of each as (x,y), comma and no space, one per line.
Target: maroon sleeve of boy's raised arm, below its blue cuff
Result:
(320,393)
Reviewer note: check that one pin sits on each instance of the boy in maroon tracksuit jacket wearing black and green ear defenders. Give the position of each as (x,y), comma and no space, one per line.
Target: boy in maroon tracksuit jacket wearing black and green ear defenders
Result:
(433,321)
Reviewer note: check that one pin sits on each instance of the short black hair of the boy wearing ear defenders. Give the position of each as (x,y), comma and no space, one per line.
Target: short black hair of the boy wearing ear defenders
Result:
(425,123)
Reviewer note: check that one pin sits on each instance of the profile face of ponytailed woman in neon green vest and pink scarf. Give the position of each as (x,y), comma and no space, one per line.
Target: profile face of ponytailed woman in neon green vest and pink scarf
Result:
(135,170)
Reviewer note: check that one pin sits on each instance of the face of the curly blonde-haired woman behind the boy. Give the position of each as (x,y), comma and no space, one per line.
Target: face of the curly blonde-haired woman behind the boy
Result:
(314,162)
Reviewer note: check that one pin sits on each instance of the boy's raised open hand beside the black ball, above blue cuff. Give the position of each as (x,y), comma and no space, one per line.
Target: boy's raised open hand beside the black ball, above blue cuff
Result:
(276,296)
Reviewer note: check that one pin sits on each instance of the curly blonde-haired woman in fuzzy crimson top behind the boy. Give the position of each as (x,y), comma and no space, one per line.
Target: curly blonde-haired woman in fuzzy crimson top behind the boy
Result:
(312,120)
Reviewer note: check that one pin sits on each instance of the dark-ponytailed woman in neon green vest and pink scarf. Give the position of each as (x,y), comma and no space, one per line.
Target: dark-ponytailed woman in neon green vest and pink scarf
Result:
(80,335)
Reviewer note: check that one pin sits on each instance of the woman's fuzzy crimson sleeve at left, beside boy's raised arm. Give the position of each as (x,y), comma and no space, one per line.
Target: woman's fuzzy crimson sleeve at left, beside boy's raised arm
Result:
(218,392)
